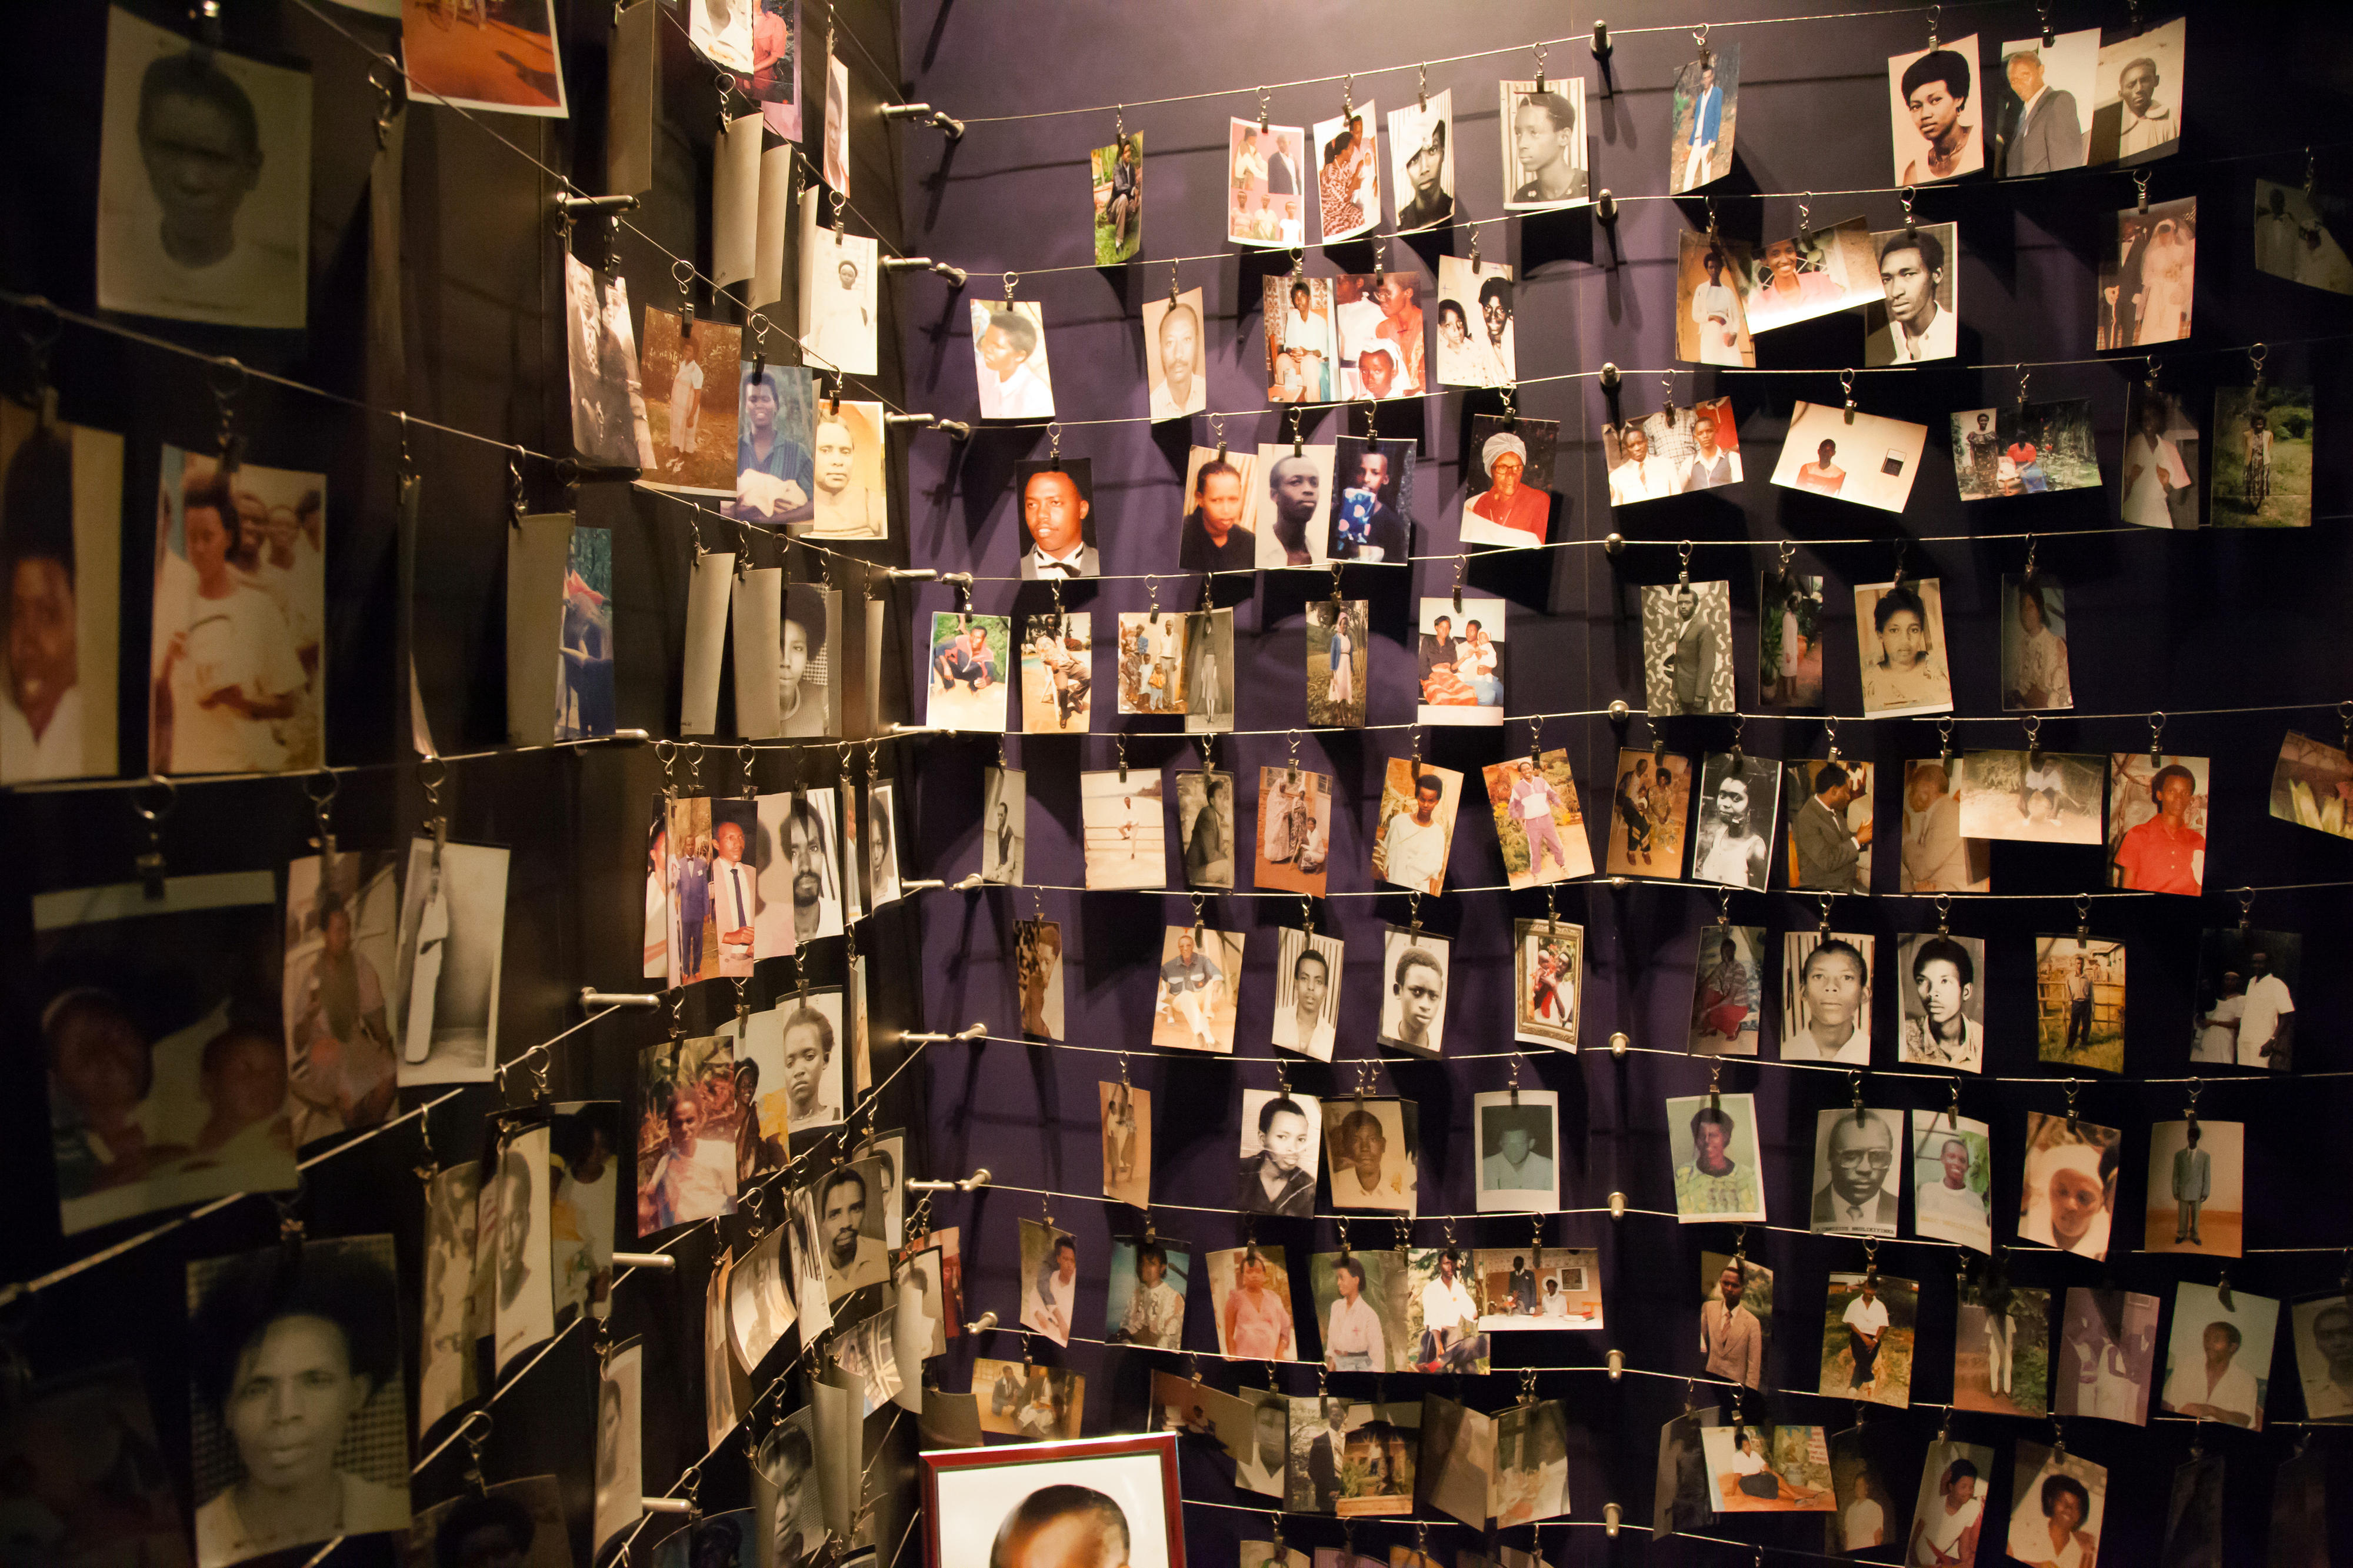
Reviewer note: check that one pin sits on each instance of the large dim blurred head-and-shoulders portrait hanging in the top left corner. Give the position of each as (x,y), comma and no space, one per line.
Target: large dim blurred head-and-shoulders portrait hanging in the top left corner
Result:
(204,182)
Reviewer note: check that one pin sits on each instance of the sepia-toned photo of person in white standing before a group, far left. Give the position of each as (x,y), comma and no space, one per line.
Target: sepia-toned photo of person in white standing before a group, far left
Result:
(236,665)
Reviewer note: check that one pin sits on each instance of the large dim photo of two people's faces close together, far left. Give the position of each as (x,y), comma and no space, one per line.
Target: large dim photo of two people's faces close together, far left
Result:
(166,1044)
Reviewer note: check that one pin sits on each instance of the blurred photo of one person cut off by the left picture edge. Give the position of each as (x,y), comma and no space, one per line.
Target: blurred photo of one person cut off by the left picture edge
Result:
(62,529)
